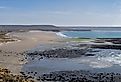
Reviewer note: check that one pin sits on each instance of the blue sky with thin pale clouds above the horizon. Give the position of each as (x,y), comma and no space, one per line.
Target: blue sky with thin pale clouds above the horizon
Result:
(61,12)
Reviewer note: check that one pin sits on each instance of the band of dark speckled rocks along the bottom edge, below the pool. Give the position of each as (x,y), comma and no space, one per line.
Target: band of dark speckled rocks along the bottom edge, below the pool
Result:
(81,76)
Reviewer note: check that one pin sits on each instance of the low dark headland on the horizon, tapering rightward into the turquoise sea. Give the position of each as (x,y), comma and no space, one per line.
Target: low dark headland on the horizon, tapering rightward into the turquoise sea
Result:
(37,27)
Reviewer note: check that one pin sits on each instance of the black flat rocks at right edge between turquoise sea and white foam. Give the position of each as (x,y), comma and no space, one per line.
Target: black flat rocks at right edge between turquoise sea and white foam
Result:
(103,44)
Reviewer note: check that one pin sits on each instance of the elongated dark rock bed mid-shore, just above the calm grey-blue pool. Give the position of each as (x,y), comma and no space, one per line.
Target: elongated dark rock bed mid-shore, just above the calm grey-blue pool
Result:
(60,53)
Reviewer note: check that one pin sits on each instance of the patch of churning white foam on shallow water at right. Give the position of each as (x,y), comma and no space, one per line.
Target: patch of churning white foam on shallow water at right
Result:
(104,58)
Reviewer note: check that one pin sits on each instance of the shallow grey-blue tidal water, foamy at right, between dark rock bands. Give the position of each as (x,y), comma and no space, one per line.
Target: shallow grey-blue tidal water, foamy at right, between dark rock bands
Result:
(107,60)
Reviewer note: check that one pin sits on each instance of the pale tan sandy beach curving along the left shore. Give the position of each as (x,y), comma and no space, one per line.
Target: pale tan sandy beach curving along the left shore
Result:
(27,41)
